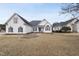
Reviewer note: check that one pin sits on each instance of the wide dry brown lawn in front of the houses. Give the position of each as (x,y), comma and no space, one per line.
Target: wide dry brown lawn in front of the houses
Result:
(40,44)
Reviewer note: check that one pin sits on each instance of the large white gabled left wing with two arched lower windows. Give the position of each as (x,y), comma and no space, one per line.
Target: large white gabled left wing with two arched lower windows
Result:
(18,25)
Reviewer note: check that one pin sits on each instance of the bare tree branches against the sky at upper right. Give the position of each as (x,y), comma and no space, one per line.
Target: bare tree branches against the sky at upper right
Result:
(71,8)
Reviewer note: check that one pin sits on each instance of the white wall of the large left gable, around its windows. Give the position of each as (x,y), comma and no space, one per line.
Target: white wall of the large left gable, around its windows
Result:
(20,23)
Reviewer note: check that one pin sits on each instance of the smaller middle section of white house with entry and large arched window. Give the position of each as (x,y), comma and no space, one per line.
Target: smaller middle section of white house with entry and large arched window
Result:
(41,26)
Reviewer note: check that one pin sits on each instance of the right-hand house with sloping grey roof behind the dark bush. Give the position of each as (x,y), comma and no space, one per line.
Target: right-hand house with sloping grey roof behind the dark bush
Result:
(70,23)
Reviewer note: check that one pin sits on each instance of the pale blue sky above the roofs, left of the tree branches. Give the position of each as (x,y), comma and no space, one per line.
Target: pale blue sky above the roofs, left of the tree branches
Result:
(33,11)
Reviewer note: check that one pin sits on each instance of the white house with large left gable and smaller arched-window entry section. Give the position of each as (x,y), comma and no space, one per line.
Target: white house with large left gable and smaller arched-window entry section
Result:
(18,25)
